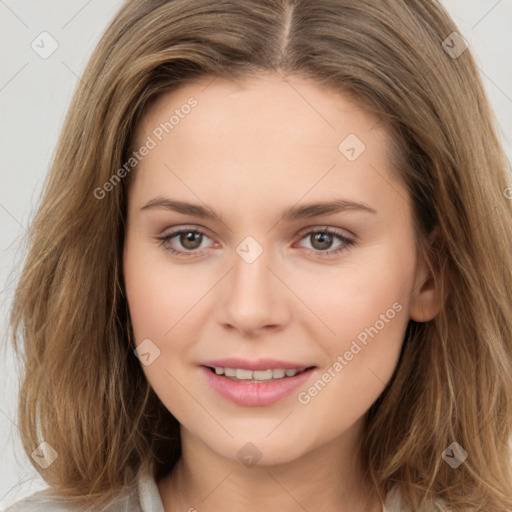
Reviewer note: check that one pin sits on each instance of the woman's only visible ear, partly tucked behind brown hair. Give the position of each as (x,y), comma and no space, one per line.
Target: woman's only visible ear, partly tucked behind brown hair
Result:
(426,300)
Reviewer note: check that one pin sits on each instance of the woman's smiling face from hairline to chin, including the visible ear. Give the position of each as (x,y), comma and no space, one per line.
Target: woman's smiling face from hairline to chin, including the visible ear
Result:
(253,173)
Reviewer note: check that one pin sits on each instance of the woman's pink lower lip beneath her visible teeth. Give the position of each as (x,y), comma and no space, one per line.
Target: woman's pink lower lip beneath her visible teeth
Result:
(255,394)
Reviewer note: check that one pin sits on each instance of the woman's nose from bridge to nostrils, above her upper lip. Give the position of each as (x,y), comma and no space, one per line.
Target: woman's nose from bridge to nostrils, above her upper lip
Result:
(254,300)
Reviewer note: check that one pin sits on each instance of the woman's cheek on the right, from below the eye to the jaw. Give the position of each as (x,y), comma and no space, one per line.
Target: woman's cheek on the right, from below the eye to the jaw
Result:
(363,307)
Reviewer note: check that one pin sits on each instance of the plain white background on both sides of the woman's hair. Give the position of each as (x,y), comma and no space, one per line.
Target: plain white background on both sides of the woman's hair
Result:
(34,96)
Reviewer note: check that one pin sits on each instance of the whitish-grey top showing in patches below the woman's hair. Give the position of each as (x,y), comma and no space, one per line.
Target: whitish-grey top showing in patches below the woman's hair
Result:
(143,498)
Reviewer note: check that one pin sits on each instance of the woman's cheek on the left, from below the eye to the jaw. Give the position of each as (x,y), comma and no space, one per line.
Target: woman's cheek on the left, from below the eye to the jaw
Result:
(160,299)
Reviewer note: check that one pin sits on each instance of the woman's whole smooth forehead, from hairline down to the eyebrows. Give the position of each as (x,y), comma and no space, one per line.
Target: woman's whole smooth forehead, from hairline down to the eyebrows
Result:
(260,134)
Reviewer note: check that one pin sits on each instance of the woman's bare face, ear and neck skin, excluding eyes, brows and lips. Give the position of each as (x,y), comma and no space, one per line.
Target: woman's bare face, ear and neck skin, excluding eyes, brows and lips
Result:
(249,150)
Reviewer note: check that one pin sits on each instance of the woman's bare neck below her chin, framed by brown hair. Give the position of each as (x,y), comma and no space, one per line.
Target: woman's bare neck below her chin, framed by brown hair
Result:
(328,476)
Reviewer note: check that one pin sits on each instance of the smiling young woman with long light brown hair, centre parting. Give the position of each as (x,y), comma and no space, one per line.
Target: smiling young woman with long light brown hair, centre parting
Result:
(271,268)
